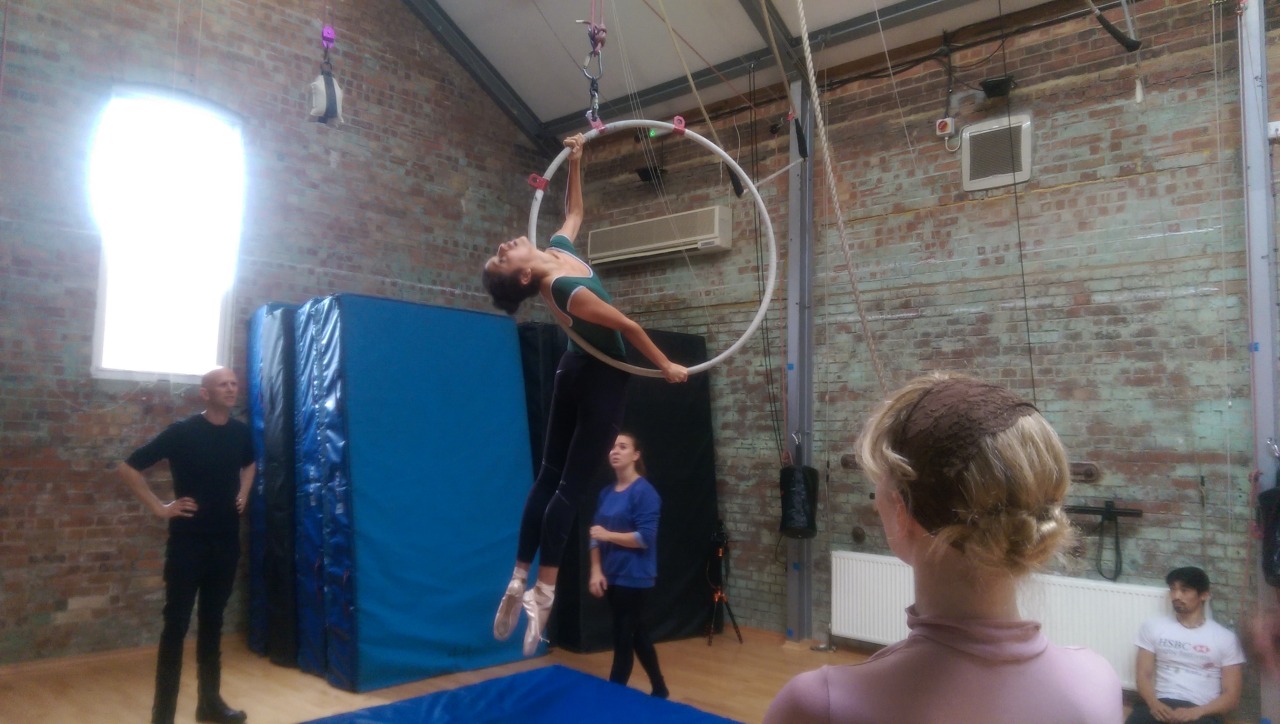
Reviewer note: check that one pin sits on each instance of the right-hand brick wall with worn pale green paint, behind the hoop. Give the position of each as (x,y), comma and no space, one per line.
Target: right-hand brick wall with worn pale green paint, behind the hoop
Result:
(1110,288)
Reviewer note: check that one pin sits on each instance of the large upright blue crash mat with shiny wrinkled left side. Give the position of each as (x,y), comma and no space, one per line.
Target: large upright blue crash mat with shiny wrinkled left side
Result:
(413,470)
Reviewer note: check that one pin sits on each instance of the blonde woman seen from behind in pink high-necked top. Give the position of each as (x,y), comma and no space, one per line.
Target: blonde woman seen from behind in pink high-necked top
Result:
(970,487)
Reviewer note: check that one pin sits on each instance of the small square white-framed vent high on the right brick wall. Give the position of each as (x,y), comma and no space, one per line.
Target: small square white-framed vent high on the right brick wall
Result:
(996,153)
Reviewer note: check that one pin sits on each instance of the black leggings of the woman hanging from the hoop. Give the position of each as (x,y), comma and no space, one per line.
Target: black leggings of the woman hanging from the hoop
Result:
(588,401)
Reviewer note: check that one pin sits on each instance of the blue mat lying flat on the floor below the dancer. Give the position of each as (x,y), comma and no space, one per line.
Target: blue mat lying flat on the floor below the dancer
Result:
(552,695)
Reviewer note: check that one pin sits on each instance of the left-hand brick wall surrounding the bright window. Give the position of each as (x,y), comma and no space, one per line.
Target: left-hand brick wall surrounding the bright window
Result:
(404,201)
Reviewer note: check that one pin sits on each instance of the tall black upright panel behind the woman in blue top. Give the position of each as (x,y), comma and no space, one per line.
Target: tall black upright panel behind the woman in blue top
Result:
(674,423)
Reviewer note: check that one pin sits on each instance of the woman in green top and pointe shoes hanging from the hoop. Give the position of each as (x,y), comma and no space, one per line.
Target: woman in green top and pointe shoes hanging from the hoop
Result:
(587,400)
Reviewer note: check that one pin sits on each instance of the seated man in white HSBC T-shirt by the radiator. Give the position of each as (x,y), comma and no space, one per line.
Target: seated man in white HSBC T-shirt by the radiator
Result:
(1190,668)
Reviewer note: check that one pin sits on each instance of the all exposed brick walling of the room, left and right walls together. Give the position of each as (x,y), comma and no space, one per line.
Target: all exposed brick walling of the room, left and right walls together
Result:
(1112,288)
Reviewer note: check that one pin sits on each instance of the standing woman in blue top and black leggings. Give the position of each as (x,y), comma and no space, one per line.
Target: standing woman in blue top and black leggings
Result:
(625,561)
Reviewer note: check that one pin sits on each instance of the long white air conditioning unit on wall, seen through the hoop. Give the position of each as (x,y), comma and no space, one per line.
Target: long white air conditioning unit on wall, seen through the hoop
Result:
(693,232)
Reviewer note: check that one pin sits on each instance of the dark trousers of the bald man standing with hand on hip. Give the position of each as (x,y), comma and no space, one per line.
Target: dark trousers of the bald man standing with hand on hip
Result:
(196,569)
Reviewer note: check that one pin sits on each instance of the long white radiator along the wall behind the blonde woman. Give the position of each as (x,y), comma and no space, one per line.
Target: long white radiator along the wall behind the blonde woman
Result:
(871,593)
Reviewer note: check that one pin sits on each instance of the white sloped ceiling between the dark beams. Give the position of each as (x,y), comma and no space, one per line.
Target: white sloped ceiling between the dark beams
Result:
(537,48)
